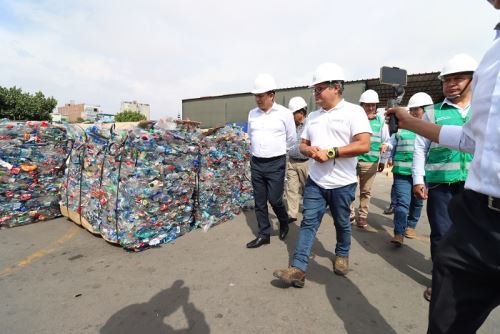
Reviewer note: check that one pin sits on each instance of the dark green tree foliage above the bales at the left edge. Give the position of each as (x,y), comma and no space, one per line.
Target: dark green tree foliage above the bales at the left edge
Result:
(17,105)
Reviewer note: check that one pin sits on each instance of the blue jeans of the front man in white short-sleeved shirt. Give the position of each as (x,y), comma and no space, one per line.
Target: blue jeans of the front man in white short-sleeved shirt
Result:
(315,200)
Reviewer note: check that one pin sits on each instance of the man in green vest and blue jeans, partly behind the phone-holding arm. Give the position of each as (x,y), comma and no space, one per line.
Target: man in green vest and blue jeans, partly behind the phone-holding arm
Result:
(407,207)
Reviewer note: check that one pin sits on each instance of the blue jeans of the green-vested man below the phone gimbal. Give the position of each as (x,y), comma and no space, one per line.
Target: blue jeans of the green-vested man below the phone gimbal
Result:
(407,207)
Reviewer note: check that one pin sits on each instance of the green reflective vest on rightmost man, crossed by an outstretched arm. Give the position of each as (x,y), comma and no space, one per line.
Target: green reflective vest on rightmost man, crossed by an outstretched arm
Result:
(444,165)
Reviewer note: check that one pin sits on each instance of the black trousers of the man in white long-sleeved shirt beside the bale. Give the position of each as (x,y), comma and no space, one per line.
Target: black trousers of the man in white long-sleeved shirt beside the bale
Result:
(268,181)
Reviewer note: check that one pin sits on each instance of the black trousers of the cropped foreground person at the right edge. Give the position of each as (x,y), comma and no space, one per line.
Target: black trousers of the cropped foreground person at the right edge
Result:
(466,271)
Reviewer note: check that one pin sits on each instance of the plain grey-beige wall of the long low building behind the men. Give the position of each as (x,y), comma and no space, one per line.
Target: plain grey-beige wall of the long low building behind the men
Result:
(219,110)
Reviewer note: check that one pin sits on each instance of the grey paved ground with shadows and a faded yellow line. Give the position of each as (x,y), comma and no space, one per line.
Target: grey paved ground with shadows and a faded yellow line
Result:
(57,278)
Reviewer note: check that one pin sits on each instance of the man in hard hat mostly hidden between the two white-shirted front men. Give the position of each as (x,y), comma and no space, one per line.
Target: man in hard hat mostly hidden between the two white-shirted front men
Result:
(297,166)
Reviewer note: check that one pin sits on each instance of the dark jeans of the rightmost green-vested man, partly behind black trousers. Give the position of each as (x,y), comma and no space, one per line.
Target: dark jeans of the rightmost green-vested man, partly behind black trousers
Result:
(440,195)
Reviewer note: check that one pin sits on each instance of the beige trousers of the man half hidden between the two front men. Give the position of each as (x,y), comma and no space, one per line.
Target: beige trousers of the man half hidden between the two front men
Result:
(296,174)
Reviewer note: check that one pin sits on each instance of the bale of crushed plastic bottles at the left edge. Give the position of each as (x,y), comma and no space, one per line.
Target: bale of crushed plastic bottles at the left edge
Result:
(32,156)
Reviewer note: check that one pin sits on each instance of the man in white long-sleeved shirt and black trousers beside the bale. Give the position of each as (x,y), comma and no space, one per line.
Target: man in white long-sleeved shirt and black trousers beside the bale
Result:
(271,130)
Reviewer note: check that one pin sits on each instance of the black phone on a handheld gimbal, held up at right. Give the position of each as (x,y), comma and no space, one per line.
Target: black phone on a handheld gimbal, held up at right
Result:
(395,77)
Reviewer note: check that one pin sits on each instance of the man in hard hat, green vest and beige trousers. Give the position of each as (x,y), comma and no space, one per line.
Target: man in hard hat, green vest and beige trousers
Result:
(369,163)
